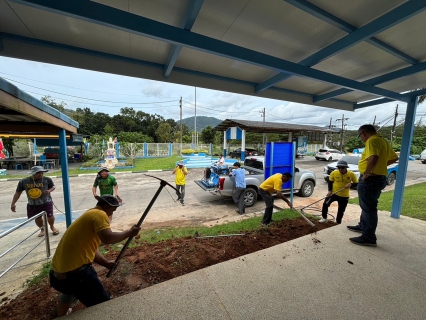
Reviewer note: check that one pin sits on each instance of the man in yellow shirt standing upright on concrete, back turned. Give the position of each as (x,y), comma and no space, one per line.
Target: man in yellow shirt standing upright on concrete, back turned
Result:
(377,155)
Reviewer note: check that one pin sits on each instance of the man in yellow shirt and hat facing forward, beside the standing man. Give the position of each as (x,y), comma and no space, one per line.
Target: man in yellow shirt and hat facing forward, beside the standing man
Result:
(339,179)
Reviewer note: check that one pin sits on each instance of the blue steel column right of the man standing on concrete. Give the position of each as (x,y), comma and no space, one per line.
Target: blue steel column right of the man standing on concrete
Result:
(403,158)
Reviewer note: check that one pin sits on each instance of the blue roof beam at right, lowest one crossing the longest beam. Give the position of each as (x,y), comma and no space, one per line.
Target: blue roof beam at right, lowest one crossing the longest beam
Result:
(377,80)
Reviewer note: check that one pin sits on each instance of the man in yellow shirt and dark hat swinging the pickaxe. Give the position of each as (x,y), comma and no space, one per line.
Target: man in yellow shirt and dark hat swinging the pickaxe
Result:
(72,273)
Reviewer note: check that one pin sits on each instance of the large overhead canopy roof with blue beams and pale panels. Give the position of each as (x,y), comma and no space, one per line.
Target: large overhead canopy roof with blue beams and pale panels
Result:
(331,53)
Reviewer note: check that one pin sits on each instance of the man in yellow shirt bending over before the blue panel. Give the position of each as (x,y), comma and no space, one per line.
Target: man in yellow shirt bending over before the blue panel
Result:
(273,184)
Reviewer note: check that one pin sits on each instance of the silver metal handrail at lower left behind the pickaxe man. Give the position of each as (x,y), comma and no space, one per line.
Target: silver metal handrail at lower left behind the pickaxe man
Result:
(46,239)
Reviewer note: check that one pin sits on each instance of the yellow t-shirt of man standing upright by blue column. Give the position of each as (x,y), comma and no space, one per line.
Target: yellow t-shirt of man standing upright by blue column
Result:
(377,146)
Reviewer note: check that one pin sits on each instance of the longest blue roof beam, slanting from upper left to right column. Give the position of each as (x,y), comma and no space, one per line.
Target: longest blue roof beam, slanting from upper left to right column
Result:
(103,15)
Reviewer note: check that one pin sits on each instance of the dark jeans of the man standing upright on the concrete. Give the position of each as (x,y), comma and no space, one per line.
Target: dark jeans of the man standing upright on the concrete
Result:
(369,193)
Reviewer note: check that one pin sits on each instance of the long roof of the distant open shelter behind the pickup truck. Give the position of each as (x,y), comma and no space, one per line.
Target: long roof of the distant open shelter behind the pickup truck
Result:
(267,127)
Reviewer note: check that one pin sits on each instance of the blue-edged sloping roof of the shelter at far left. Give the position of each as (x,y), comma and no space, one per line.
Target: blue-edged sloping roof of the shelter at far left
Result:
(23,116)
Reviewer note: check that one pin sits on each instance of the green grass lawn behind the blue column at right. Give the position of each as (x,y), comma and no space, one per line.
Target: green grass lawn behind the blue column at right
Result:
(414,202)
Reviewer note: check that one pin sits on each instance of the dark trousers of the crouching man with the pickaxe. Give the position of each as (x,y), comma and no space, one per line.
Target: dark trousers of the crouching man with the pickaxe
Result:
(84,285)
